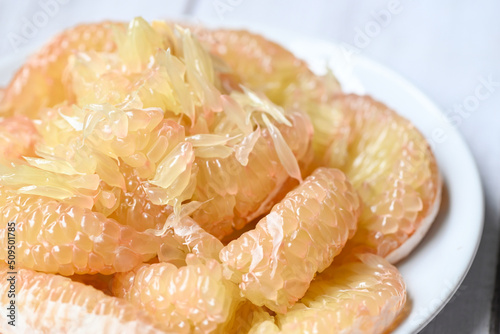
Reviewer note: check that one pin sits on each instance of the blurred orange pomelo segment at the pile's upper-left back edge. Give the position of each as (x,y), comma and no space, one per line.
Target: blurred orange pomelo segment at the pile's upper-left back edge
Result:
(39,82)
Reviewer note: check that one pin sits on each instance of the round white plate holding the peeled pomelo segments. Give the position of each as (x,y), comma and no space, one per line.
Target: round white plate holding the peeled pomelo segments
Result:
(435,270)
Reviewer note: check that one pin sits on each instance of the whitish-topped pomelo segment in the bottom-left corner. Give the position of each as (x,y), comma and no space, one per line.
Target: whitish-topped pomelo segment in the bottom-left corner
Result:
(47,303)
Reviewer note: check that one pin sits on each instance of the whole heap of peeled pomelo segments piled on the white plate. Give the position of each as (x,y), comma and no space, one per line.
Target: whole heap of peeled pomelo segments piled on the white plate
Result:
(127,153)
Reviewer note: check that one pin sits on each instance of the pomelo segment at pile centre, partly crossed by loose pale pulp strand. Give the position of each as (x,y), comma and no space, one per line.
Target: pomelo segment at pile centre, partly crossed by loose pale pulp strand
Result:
(239,193)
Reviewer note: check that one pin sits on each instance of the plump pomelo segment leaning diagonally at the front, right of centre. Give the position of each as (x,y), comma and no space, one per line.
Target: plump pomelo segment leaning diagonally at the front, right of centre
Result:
(275,263)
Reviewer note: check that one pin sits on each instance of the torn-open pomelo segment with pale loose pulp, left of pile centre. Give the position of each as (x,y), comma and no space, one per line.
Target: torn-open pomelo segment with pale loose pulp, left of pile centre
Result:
(125,150)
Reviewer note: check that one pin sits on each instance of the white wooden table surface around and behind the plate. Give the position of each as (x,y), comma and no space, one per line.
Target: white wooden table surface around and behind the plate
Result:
(444,47)
